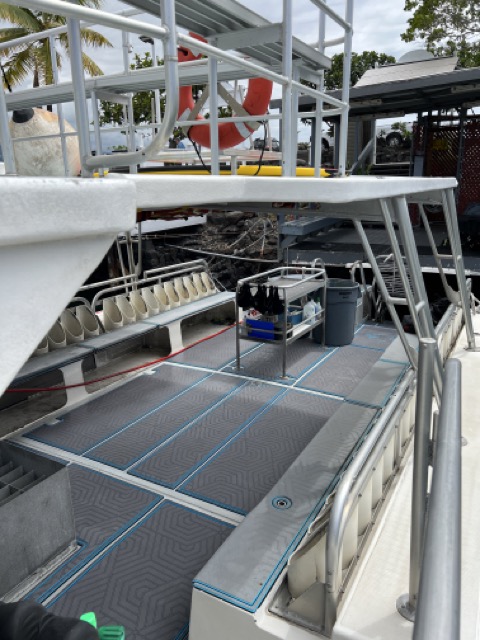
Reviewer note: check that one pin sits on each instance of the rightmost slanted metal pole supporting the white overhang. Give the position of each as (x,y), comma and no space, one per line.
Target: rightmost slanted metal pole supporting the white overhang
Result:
(450,210)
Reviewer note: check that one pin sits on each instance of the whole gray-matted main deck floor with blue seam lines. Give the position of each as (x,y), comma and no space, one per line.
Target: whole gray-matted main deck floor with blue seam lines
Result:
(164,466)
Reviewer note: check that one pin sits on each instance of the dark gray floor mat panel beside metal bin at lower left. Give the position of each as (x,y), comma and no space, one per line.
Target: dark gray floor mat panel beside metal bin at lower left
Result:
(103,509)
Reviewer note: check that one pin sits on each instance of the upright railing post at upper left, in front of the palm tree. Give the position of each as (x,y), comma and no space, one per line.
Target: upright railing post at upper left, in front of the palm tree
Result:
(81,112)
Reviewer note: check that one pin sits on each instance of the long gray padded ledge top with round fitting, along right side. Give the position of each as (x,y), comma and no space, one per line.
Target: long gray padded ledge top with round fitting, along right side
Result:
(245,567)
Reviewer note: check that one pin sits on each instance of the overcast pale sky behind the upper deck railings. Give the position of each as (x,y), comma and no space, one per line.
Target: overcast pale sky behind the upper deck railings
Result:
(377,26)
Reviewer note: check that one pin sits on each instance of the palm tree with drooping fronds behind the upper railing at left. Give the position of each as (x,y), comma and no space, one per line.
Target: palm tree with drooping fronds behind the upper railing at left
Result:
(35,57)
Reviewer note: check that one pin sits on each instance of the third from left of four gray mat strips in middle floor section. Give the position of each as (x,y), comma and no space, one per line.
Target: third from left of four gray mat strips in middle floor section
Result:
(179,458)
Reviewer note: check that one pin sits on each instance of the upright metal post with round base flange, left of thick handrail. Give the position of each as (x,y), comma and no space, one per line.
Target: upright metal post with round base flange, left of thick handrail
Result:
(407,604)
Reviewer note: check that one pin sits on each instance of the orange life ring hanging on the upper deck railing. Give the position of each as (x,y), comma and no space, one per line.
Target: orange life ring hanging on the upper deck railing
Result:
(229,133)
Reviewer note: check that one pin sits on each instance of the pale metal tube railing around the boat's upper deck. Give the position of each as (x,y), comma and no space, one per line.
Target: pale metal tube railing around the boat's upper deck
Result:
(288,79)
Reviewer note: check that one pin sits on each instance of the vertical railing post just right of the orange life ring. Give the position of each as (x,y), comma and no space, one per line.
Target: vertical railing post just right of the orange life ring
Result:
(287,153)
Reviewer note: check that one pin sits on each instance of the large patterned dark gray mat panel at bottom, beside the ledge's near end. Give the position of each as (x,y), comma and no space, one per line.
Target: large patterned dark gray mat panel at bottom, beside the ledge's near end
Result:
(145,582)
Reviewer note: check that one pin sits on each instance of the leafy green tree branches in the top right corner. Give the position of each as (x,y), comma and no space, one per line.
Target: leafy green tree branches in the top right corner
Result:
(446,27)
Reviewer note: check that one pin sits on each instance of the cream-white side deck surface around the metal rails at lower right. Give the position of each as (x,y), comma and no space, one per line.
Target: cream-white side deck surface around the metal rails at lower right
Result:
(371,612)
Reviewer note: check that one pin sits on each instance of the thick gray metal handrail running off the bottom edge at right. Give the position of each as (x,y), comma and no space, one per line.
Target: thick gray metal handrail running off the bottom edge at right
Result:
(438,609)
